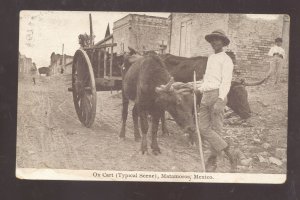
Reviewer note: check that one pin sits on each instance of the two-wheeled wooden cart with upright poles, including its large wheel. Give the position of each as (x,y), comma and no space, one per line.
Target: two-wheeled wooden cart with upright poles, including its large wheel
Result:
(95,68)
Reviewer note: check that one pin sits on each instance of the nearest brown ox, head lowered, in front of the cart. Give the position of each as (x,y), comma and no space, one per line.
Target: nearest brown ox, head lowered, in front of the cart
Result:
(148,83)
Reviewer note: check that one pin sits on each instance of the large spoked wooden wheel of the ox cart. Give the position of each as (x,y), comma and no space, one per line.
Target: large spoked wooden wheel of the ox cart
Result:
(84,88)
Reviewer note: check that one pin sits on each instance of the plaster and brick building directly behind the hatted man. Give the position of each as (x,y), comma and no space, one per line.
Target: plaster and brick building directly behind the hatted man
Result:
(250,38)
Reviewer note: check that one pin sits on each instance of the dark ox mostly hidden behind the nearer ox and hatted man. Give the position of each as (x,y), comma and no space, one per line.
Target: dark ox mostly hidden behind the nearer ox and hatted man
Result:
(182,69)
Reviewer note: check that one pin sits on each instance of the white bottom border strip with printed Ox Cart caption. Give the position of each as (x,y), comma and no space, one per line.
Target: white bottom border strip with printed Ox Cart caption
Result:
(145,176)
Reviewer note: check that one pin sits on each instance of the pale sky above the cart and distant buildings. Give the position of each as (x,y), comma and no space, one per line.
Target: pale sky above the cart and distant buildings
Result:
(44,32)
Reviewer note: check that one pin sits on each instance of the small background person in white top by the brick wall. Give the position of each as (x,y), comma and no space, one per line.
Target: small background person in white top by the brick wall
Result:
(277,55)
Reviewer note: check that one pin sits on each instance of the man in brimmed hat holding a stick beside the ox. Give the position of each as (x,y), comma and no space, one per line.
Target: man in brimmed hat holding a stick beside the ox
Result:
(215,87)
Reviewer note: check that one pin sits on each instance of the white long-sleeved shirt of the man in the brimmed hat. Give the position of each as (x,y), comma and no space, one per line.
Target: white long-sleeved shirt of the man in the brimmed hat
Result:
(218,74)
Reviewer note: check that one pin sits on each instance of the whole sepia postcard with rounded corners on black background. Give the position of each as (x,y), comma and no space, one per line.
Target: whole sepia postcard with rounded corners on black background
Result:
(153,97)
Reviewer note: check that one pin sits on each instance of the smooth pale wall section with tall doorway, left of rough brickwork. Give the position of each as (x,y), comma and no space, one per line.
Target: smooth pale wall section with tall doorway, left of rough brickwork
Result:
(201,24)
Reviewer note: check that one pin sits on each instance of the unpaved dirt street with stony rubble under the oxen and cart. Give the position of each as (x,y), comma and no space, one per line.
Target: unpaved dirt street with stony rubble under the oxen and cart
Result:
(49,134)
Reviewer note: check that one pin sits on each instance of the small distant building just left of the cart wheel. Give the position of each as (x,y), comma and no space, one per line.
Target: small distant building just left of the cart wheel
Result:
(59,62)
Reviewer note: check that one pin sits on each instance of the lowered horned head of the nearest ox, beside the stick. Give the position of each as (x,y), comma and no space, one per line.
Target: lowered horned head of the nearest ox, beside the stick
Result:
(178,104)
